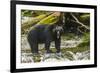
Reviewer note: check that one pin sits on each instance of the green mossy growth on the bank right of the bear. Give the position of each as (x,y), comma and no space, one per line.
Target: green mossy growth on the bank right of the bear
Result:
(85,45)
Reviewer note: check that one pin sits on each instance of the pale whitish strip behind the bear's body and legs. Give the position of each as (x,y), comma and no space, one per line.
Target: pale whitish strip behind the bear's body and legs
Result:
(64,44)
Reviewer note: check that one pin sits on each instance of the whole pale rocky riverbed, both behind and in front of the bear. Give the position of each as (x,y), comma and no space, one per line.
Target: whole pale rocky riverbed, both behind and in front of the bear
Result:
(27,57)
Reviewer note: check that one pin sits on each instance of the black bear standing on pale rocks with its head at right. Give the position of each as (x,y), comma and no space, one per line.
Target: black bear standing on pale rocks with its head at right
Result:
(45,34)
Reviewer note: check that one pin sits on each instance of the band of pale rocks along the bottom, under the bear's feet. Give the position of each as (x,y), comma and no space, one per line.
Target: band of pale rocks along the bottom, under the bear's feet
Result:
(53,57)
